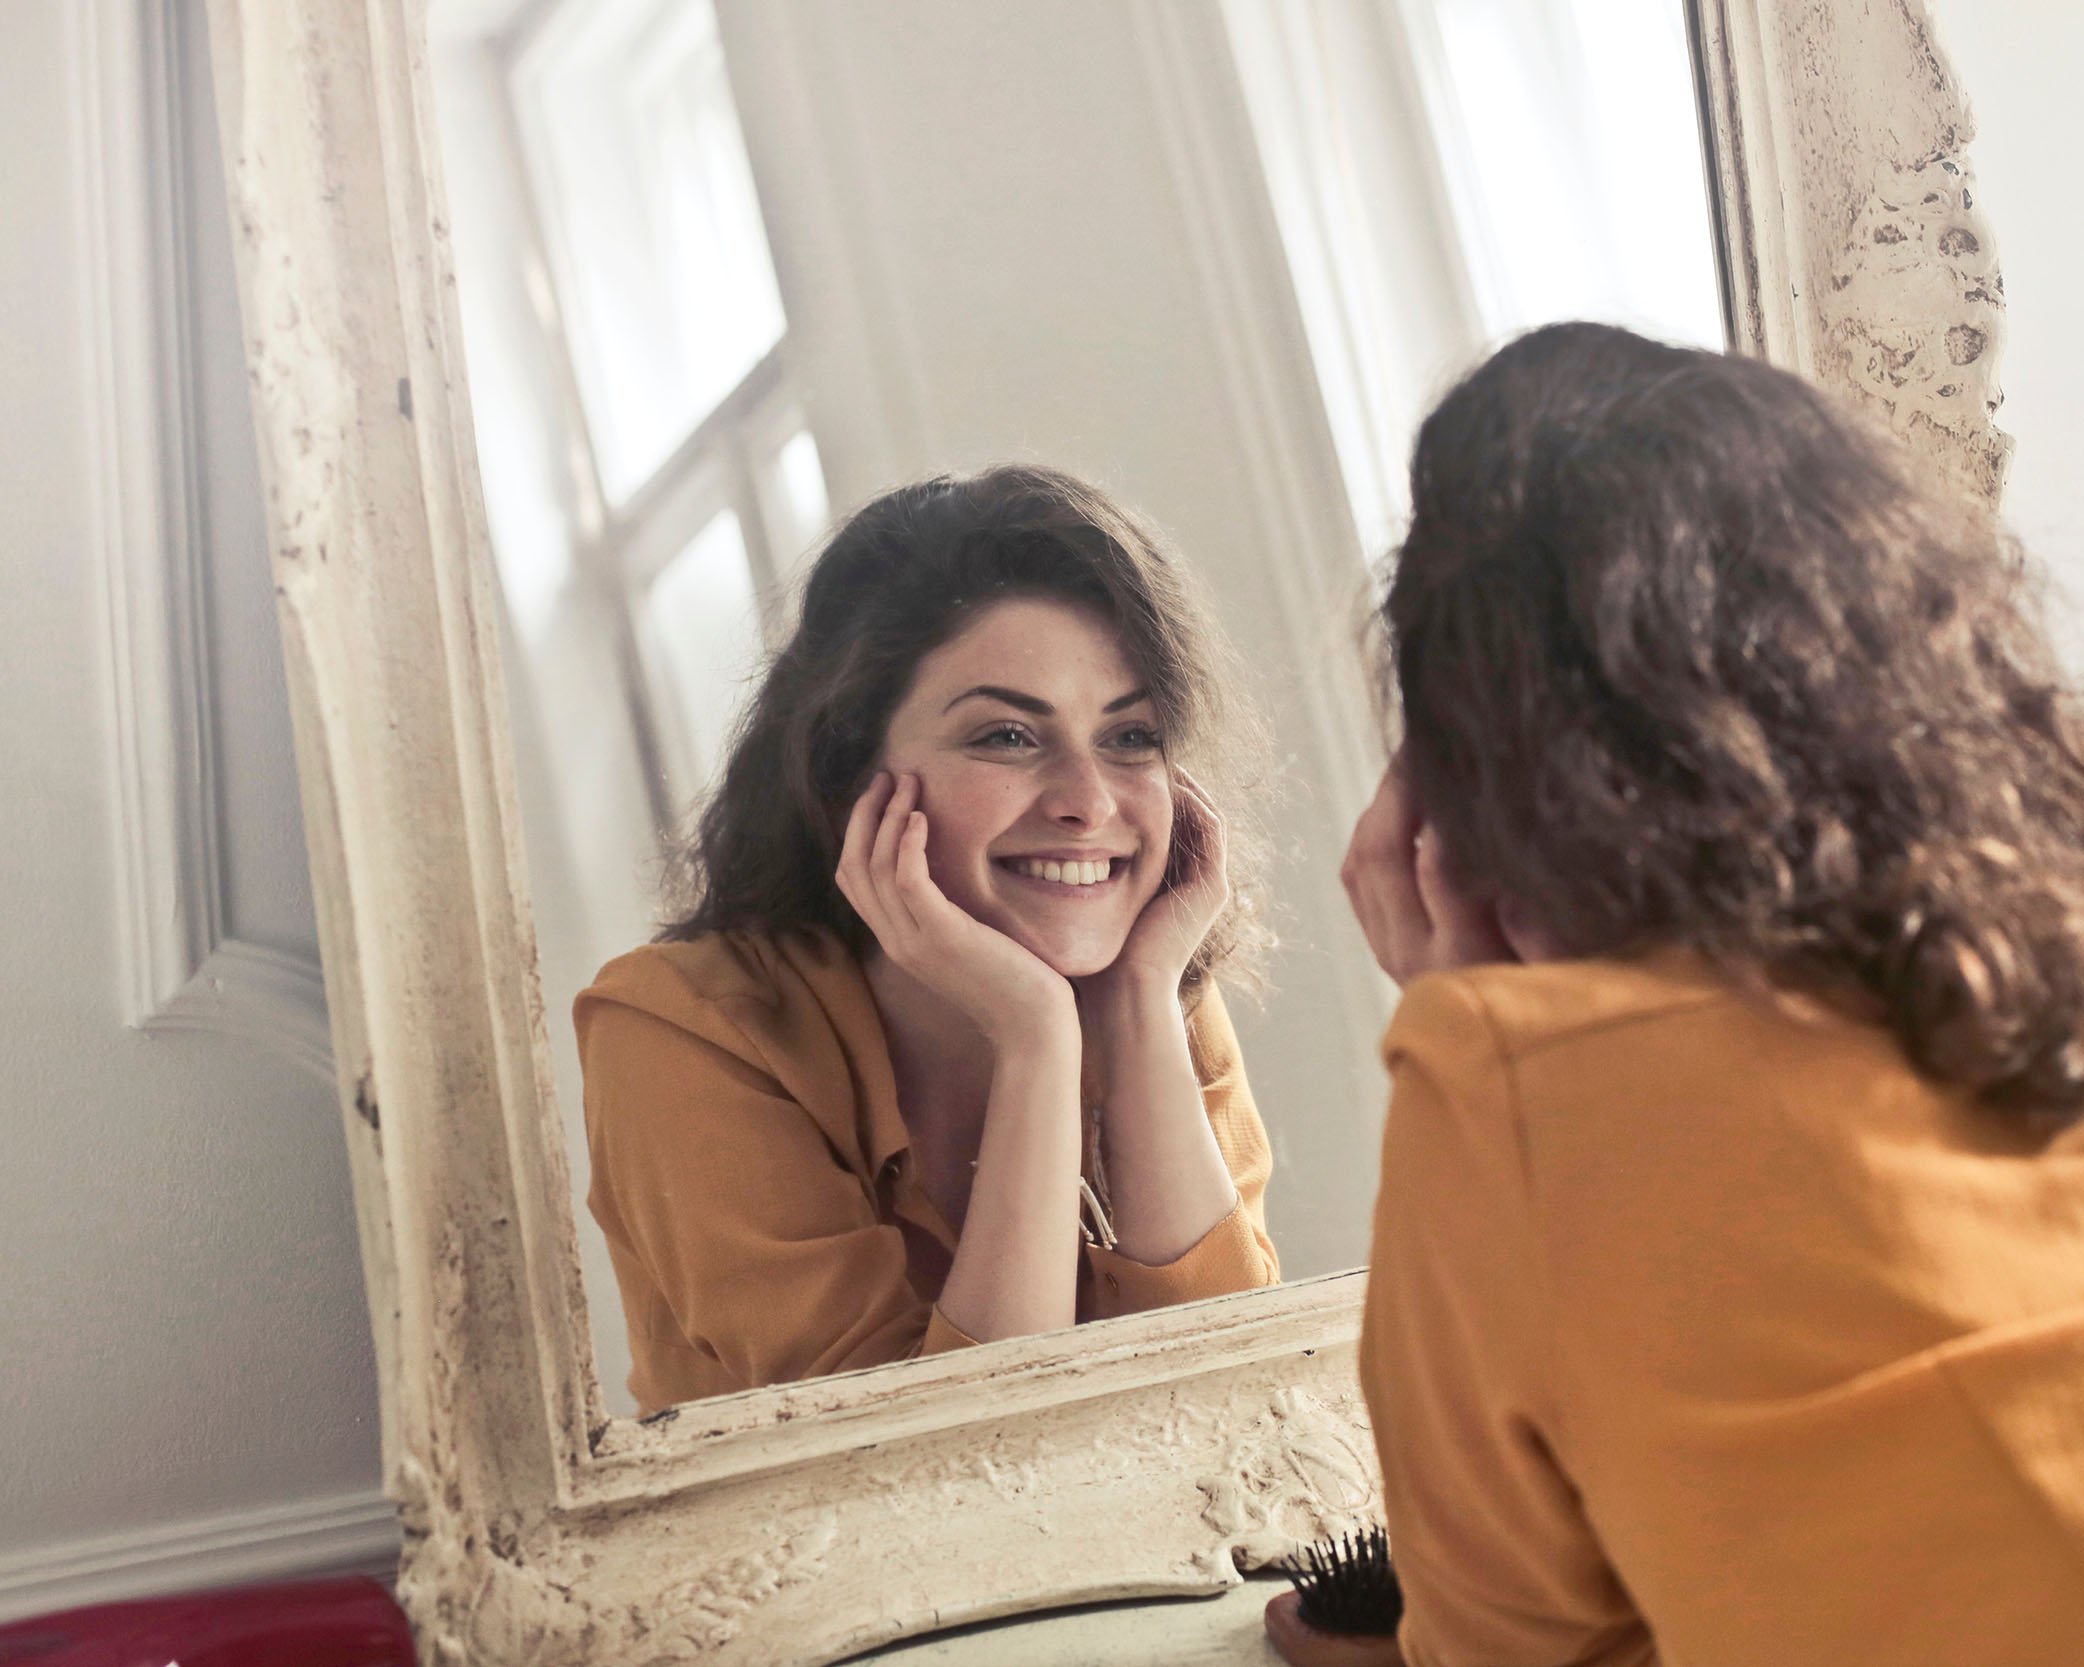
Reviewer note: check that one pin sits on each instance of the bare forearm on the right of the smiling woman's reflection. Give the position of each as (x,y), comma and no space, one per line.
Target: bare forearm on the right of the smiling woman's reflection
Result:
(1166,1176)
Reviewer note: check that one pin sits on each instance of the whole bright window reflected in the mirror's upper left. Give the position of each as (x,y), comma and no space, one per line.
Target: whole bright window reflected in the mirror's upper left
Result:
(655,368)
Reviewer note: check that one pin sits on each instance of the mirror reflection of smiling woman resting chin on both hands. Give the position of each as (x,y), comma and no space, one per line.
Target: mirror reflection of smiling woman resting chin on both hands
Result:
(935,1058)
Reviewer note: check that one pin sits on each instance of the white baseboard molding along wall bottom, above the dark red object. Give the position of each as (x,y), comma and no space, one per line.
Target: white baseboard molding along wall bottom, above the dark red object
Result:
(341,1535)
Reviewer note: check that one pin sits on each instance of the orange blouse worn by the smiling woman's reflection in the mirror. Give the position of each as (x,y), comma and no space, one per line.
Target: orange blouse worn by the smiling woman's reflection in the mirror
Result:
(753,1174)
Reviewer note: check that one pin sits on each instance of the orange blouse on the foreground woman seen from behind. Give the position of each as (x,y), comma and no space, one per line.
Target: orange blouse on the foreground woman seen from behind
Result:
(1704,1333)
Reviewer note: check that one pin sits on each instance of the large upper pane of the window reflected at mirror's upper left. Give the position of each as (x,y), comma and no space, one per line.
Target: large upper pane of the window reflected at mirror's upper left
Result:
(653,226)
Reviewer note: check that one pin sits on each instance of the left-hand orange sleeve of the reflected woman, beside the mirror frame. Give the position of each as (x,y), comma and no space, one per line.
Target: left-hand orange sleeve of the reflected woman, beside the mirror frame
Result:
(747,1253)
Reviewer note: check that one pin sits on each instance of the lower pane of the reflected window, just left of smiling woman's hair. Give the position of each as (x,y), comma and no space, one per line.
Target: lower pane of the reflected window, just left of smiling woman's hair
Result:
(699,632)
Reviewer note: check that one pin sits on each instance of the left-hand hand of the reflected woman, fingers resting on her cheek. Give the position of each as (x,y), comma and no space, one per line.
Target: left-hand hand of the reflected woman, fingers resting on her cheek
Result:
(1003,989)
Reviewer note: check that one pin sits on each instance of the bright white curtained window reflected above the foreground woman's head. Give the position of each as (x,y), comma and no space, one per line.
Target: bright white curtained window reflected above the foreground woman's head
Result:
(1452,172)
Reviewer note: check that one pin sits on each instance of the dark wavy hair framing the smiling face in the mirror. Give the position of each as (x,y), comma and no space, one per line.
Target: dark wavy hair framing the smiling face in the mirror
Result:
(895,582)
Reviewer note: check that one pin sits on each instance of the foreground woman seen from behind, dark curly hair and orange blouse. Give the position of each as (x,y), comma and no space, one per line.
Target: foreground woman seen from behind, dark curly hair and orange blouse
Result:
(1729,1278)
